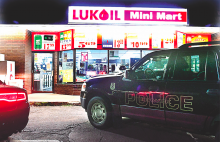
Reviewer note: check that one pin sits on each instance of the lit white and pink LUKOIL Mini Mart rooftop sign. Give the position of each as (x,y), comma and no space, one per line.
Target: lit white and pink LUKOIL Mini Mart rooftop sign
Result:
(78,14)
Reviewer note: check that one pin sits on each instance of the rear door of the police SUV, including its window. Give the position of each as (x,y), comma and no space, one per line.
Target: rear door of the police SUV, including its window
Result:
(192,89)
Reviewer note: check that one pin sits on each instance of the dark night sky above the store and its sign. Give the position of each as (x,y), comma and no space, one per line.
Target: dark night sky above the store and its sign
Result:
(200,12)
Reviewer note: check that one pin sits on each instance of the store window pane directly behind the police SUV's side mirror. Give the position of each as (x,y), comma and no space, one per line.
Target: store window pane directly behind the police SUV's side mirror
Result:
(122,57)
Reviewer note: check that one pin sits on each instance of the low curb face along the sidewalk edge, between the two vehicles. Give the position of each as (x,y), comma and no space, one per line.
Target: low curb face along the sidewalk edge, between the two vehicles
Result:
(55,103)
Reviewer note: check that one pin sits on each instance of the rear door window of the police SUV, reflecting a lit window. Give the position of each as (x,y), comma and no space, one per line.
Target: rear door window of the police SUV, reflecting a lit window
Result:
(190,65)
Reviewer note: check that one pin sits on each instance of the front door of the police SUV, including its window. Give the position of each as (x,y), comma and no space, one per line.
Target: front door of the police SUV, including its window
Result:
(143,96)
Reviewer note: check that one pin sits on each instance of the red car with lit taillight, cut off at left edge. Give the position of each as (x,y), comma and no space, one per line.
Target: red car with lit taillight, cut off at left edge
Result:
(14,110)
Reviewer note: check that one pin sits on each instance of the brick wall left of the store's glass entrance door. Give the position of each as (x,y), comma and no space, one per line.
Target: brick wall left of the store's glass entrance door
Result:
(13,45)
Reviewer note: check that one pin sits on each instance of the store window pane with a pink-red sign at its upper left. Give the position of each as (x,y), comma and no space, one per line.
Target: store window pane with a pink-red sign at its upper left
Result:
(90,63)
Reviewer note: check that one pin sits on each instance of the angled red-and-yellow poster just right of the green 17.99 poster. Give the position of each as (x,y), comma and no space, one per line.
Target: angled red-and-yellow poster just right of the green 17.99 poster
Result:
(66,40)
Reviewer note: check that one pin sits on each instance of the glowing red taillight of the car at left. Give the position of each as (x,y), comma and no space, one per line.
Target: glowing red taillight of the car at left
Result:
(12,96)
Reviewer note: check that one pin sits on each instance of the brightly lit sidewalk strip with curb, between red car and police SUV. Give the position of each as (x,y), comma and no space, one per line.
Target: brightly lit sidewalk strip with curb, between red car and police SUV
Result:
(51,99)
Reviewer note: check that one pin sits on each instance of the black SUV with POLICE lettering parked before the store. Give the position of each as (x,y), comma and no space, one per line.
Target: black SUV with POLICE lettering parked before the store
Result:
(176,87)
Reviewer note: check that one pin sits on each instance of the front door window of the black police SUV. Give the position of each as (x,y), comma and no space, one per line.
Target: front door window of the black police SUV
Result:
(153,67)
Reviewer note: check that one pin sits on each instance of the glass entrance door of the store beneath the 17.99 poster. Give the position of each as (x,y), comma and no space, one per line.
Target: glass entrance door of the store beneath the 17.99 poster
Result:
(42,72)
